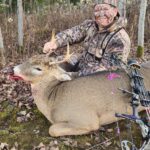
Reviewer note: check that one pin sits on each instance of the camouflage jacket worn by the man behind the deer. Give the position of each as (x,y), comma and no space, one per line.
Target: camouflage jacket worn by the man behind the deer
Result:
(97,42)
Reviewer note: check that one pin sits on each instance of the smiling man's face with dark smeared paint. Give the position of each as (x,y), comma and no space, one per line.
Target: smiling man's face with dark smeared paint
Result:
(104,14)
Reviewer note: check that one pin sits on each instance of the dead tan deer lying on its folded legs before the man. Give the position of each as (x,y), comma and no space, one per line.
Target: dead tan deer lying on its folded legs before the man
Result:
(76,106)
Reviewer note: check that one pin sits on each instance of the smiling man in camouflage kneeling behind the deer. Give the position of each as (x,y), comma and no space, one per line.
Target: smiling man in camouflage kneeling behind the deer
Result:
(103,36)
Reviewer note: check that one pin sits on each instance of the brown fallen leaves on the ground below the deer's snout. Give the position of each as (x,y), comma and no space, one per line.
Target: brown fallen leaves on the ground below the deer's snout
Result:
(17,93)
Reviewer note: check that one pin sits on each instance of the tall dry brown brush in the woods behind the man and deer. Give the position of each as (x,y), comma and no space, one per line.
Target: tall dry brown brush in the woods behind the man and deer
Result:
(40,17)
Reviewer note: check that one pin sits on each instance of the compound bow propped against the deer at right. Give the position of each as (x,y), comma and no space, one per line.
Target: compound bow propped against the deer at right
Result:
(139,96)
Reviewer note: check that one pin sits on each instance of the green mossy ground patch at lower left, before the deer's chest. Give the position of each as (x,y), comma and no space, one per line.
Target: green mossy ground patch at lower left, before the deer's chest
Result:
(22,133)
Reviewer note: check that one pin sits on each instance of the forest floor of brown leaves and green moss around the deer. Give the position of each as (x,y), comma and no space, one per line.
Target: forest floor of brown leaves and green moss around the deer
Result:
(23,127)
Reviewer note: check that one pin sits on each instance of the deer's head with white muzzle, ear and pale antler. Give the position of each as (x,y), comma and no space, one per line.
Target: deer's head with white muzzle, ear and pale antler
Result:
(42,67)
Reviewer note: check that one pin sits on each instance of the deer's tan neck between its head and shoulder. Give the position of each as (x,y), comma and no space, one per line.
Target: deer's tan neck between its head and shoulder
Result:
(41,92)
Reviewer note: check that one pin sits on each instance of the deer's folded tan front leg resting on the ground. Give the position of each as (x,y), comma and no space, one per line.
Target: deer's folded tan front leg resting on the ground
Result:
(61,129)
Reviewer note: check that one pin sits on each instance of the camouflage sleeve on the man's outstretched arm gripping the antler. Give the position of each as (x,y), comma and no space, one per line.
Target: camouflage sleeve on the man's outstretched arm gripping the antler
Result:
(74,35)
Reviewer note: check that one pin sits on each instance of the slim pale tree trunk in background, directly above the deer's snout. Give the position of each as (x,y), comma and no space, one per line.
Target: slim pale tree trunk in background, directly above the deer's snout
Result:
(20,23)
